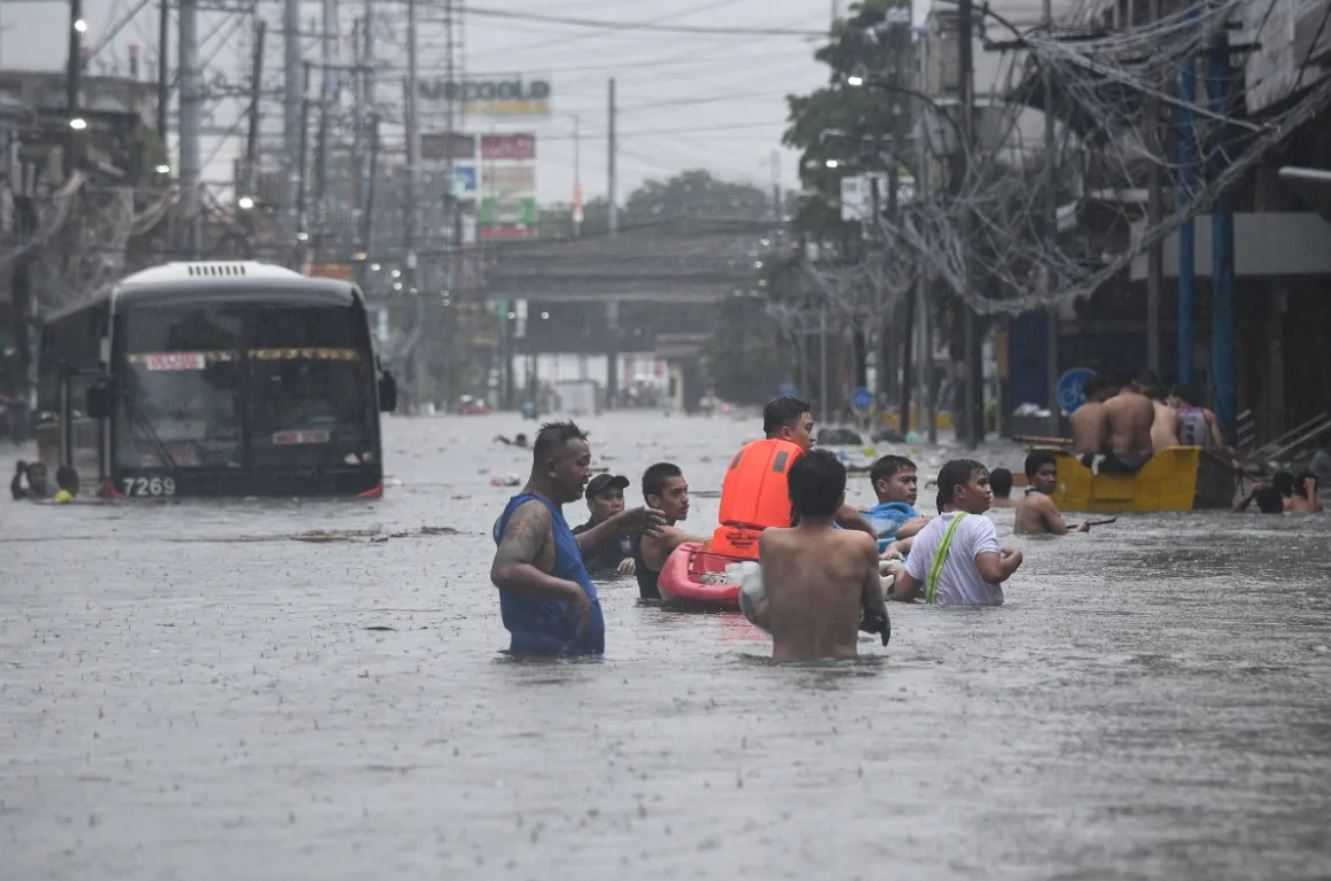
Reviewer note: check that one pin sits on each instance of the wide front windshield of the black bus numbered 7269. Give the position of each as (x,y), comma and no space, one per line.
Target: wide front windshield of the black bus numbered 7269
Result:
(247,387)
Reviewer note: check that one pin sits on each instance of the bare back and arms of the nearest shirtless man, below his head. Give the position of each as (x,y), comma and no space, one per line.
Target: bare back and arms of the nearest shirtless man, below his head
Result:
(819,582)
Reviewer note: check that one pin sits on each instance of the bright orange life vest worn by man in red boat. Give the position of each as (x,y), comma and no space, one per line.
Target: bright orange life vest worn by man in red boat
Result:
(754,497)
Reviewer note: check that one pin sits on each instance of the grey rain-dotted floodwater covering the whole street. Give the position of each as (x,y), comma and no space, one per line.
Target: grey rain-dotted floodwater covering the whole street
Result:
(259,690)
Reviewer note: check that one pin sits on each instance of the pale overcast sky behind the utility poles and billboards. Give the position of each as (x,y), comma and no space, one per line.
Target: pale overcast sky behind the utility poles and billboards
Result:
(711,102)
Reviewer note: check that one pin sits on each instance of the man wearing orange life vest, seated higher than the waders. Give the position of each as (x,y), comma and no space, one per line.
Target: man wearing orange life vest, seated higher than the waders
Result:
(755,494)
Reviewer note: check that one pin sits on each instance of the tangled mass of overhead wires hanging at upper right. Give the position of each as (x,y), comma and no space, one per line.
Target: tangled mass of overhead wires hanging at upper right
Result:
(1156,98)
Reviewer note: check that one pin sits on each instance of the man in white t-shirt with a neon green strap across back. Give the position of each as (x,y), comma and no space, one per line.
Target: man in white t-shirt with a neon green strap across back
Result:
(956,560)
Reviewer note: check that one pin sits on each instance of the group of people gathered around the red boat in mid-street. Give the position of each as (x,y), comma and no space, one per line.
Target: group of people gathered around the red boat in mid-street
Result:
(827,568)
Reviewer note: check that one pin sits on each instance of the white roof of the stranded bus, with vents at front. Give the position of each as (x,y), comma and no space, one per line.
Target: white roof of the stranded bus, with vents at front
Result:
(220,283)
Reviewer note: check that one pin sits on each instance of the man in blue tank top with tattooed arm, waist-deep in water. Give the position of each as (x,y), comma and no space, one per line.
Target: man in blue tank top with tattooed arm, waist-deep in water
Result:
(546,598)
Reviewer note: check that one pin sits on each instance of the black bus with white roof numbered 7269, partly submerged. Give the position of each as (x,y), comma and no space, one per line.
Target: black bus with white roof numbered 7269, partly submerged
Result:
(216,379)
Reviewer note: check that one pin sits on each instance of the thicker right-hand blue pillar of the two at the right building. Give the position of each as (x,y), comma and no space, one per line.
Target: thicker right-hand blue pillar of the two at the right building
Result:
(1223,252)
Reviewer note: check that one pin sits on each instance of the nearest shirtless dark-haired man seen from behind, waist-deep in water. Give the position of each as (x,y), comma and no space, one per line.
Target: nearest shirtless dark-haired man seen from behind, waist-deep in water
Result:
(822,582)
